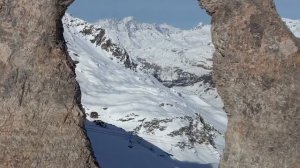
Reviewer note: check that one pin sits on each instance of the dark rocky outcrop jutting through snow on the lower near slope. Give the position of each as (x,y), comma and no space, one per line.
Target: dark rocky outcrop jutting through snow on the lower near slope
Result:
(197,131)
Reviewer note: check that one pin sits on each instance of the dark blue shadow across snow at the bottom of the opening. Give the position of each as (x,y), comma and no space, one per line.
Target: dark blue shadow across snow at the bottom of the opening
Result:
(116,148)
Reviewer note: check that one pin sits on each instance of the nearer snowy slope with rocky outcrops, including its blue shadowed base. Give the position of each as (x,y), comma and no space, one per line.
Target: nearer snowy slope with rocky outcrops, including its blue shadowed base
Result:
(186,128)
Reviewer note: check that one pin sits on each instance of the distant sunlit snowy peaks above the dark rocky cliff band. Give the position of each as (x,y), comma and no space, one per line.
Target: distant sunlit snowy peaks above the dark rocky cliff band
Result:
(184,49)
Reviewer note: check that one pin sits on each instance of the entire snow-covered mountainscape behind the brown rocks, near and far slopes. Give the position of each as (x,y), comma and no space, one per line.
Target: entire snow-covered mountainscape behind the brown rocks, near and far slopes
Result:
(151,87)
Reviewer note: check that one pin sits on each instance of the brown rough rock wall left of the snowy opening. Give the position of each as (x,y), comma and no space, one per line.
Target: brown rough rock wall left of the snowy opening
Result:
(41,123)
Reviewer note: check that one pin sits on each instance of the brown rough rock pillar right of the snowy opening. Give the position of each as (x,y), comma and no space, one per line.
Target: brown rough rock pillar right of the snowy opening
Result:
(257,74)
